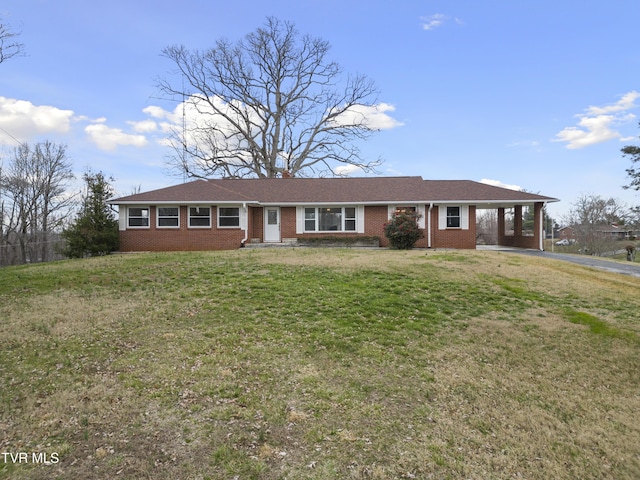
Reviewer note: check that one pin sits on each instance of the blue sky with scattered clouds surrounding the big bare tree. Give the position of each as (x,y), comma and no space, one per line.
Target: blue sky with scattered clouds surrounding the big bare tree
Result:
(541,95)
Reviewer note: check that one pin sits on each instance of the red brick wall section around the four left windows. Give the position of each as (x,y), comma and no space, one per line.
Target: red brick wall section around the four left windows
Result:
(173,239)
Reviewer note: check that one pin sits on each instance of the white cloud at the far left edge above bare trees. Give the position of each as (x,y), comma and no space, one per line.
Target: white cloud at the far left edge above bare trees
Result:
(22,119)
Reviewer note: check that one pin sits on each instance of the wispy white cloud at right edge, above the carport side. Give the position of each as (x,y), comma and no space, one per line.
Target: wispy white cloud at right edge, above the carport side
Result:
(598,124)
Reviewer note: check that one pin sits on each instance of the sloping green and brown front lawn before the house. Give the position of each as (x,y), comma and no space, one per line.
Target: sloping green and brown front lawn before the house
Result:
(319,364)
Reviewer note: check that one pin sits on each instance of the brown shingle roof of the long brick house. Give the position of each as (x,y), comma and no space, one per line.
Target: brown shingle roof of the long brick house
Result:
(364,190)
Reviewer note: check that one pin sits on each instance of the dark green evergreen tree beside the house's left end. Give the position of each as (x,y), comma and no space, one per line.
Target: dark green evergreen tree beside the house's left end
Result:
(95,230)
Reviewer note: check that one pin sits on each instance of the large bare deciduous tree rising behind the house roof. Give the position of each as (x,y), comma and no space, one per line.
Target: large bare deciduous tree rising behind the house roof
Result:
(269,103)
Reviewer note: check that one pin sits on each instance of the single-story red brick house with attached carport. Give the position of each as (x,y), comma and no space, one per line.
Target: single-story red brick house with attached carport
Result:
(221,214)
